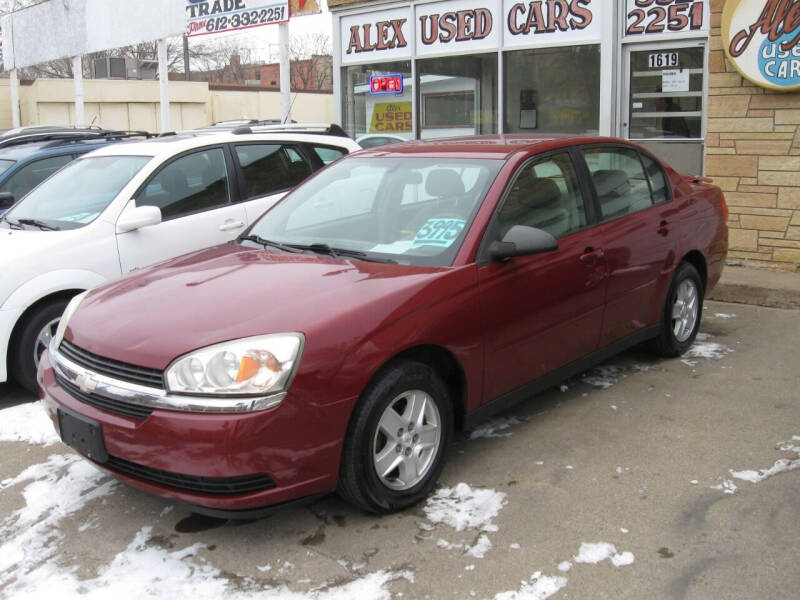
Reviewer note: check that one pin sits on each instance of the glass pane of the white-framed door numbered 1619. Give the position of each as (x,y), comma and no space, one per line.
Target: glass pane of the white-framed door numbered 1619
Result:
(666,99)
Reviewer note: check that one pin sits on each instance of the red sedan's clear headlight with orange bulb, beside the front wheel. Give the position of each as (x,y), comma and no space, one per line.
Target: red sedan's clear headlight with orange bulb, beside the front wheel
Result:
(252,366)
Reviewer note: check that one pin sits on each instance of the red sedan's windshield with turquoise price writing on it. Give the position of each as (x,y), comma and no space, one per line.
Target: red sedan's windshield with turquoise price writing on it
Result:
(407,210)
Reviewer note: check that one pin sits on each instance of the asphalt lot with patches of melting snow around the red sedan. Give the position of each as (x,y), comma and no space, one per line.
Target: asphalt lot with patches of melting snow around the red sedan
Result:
(689,468)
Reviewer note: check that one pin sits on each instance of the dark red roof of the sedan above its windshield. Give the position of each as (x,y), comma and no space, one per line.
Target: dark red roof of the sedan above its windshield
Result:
(483,146)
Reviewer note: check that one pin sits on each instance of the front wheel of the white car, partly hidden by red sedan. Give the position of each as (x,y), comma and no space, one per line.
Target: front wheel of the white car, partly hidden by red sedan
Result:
(31,340)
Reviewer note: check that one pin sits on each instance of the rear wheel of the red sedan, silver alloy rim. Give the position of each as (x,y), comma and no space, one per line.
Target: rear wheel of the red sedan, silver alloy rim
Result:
(683,309)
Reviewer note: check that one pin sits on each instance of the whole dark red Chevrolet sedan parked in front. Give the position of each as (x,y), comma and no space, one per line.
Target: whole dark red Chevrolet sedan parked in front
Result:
(400,293)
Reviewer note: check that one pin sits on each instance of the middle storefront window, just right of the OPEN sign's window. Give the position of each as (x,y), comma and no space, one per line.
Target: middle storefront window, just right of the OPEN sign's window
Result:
(457,95)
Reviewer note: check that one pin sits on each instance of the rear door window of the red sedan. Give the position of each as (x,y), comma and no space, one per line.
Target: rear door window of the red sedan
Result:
(619,180)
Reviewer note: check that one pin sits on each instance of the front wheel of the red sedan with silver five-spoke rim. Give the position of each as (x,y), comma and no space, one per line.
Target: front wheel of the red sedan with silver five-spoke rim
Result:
(396,441)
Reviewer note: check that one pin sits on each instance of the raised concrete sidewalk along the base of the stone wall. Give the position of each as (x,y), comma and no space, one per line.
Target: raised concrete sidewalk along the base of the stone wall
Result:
(747,285)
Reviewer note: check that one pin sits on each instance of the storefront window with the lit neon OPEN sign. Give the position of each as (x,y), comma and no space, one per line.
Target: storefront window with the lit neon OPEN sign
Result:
(377,114)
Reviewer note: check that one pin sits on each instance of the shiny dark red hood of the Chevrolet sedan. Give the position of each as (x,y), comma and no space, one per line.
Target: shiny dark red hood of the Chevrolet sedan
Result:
(229,292)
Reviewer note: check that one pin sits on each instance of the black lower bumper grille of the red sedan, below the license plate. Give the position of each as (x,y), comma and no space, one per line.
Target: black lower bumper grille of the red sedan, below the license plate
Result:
(215,486)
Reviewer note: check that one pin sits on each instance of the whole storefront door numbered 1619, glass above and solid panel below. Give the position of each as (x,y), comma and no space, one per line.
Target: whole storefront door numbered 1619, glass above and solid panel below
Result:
(663,104)
